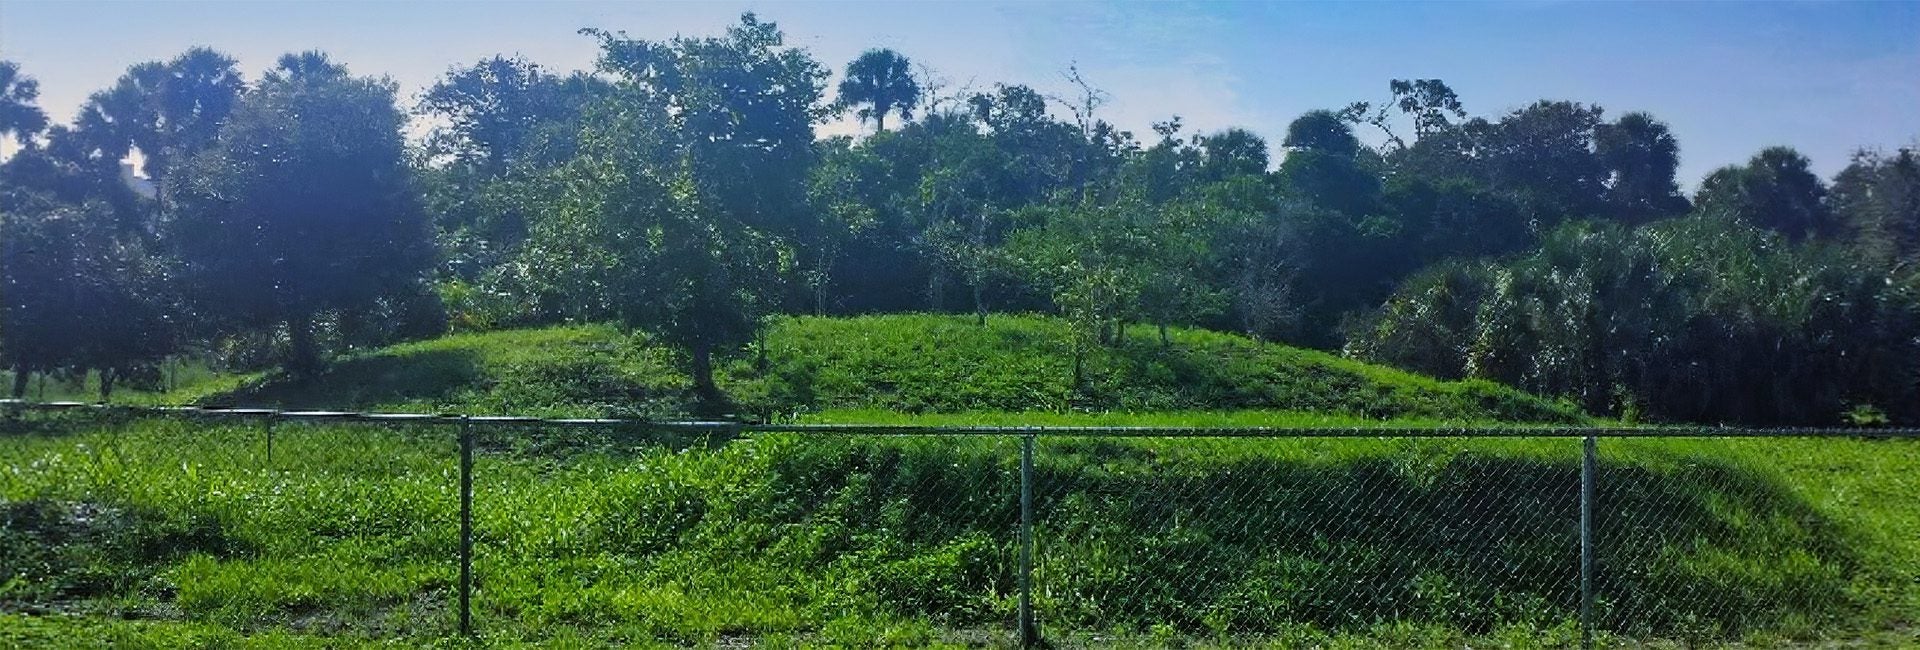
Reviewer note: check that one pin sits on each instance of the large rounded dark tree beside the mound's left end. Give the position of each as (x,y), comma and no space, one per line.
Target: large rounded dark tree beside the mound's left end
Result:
(304,206)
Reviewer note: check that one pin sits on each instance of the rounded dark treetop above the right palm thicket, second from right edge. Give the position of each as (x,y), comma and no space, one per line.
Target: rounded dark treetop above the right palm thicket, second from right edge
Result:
(1775,191)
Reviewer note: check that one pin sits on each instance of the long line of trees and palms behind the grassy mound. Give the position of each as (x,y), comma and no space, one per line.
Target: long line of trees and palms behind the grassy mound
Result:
(683,189)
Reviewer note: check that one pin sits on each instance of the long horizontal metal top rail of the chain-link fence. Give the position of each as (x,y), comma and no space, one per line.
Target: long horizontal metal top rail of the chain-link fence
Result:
(729,427)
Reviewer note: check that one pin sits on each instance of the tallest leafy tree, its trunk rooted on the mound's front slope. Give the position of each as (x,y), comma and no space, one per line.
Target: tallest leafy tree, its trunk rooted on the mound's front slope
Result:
(692,187)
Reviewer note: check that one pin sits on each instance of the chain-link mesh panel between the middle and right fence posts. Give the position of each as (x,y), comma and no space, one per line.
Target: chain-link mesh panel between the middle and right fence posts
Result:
(1259,538)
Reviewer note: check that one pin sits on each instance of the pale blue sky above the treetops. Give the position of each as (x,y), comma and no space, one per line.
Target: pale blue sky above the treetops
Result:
(1825,78)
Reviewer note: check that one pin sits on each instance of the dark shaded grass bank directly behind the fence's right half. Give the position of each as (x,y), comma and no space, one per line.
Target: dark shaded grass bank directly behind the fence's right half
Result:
(1132,536)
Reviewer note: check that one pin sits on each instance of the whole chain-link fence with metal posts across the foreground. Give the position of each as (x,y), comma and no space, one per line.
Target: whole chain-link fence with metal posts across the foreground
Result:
(719,532)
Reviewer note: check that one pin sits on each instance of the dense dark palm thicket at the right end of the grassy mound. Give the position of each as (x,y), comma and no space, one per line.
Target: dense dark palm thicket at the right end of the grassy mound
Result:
(1698,321)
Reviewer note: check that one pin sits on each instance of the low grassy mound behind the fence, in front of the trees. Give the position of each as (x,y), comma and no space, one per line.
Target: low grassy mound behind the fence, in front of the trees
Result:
(886,367)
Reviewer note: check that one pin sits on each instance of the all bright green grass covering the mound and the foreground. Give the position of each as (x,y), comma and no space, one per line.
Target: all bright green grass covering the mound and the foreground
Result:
(181,534)
